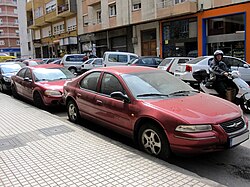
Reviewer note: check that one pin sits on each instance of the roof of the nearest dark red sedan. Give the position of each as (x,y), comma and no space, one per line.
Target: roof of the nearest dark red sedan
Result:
(125,69)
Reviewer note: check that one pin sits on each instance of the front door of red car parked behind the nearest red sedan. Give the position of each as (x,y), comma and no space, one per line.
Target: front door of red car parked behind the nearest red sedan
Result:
(28,84)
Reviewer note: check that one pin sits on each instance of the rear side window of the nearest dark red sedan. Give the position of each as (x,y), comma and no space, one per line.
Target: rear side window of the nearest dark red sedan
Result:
(90,81)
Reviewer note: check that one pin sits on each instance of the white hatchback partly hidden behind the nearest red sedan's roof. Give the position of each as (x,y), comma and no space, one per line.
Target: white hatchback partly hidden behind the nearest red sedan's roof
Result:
(169,64)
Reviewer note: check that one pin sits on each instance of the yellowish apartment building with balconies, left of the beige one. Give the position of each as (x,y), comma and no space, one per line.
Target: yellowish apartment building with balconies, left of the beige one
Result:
(54,28)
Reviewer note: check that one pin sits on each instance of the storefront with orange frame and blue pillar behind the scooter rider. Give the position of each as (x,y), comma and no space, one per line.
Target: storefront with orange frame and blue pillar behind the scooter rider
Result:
(226,29)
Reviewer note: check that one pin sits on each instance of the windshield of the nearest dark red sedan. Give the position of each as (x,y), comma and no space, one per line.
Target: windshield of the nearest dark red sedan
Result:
(156,84)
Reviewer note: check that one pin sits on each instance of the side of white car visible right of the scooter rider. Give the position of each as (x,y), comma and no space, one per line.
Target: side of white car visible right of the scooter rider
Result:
(238,65)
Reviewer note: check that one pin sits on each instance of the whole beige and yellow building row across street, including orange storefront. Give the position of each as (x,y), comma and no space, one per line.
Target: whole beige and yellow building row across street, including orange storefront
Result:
(157,28)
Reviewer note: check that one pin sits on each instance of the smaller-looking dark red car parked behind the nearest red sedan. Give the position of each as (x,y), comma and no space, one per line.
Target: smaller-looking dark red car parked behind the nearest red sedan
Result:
(42,84)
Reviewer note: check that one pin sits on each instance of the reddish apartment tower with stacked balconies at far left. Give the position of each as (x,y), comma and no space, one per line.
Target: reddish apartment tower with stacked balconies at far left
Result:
(9,32)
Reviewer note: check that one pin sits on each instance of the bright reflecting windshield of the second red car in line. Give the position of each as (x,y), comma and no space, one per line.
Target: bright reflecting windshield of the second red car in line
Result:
(51,74)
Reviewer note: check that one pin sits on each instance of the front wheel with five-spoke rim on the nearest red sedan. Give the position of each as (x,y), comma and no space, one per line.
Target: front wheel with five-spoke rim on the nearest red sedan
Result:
(152,140)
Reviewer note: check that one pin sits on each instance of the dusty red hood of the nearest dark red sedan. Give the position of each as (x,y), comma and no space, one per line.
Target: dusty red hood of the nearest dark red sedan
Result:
(198,108)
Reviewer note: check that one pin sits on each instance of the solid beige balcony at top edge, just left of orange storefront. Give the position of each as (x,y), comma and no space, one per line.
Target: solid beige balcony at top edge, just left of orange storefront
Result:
(169,9)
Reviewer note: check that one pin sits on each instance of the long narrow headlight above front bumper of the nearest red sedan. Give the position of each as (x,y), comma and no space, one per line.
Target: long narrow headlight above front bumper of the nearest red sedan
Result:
(193,128)
